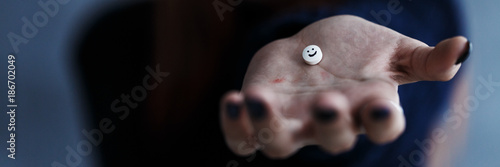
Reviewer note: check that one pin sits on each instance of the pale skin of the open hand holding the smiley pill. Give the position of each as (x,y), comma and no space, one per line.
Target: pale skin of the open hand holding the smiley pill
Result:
(363,65)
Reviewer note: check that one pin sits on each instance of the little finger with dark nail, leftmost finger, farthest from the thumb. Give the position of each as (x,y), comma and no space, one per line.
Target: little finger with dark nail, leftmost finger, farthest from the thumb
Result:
(236,126)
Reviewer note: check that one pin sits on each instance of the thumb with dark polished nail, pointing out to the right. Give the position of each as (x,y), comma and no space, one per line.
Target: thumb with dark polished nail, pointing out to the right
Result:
(416,61)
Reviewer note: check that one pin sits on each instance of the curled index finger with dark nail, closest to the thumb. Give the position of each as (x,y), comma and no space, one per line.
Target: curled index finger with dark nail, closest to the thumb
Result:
(381,116)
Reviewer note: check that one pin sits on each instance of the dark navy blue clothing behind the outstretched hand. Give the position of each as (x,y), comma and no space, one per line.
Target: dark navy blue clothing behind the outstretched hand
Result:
(423,102)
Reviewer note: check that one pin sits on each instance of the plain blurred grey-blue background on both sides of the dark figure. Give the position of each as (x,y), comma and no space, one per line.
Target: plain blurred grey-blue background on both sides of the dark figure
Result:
(51,108)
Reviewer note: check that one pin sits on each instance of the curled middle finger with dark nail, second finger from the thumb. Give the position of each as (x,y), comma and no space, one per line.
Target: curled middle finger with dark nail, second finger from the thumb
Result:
(334,126)
